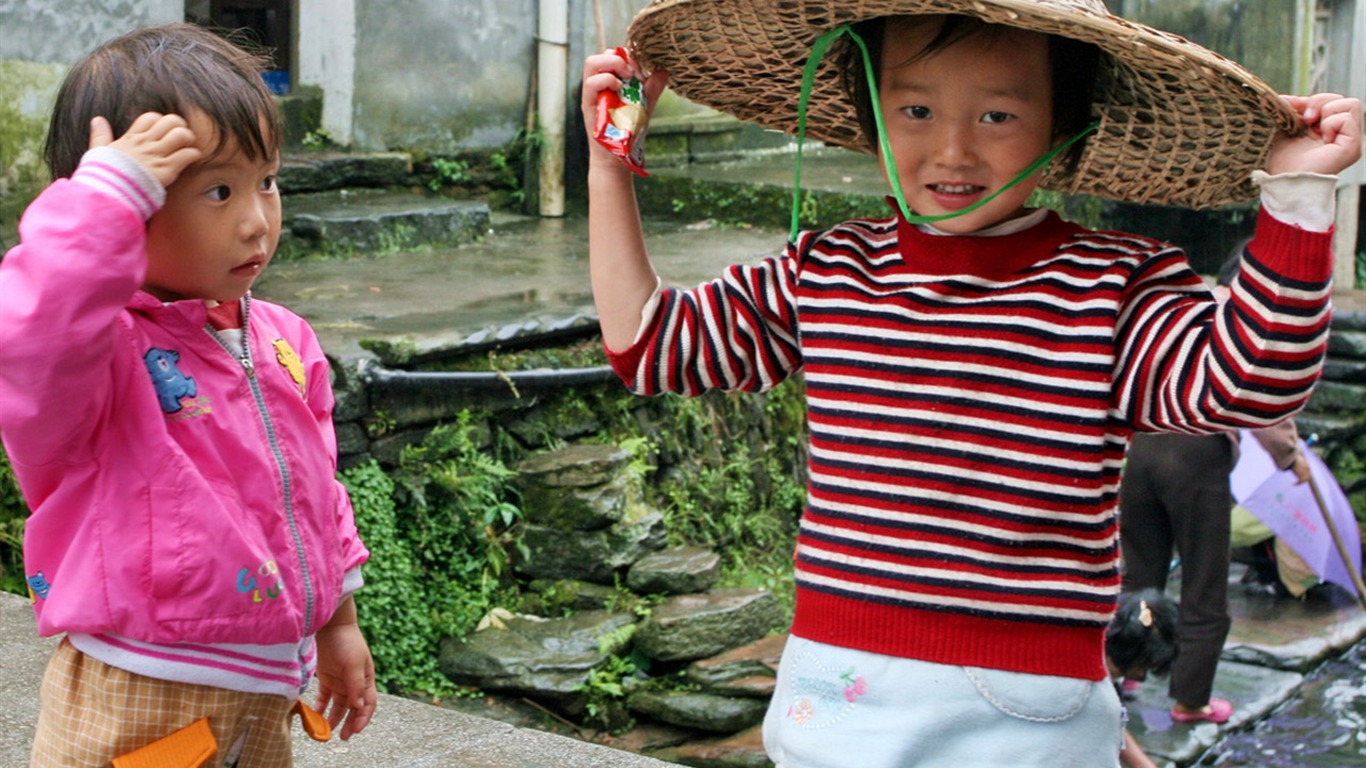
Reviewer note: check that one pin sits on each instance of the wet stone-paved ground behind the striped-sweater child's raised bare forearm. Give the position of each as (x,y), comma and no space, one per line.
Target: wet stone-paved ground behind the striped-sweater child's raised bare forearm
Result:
(525,269)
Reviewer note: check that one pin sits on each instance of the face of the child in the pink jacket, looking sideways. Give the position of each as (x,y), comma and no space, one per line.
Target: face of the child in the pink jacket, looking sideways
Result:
(219,228)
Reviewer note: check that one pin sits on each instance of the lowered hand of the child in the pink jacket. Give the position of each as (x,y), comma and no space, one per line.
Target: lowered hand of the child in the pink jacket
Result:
(346,676)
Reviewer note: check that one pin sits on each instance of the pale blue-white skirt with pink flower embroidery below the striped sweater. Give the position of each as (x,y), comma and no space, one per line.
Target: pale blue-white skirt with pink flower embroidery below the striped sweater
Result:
(841,709)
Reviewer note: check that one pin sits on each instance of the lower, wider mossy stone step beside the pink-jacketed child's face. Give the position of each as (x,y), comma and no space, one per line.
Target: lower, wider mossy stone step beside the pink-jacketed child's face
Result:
(371,222)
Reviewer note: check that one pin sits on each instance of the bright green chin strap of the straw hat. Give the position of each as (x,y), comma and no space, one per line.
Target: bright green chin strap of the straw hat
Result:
(819,50)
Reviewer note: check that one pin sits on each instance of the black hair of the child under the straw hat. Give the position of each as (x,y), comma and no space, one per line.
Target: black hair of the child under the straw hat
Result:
(1073,69)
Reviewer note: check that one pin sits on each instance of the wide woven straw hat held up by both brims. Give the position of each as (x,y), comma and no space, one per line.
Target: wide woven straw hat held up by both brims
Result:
(1180,125)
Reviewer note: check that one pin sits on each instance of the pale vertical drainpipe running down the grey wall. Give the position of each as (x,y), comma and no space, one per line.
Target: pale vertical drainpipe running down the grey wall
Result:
(553,61)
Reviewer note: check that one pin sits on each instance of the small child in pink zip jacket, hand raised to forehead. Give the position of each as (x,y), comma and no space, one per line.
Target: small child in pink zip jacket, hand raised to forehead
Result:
(173,437)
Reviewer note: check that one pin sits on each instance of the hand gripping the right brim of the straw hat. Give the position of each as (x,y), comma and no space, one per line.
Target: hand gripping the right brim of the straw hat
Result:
(1333,143)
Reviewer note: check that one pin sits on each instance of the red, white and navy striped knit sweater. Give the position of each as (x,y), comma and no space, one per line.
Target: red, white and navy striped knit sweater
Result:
(971,402)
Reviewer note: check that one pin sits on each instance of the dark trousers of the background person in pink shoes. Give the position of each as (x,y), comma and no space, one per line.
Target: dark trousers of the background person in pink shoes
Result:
(1175,494)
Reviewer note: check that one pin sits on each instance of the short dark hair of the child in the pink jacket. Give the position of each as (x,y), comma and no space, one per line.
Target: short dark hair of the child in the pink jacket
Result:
(169,69)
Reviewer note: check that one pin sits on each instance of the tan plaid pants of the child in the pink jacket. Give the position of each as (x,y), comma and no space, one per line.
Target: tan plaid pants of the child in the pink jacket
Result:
(92,713)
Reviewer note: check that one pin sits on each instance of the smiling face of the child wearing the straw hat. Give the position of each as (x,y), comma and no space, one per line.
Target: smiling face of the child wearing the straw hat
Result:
(966,120)
